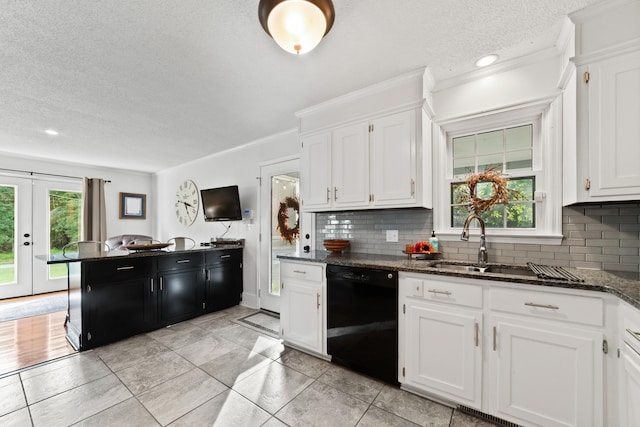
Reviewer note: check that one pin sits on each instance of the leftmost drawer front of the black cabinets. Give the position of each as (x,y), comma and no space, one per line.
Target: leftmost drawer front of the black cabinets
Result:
(116,270)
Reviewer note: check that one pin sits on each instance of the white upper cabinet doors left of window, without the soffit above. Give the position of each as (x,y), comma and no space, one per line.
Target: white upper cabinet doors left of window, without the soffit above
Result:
(365,165)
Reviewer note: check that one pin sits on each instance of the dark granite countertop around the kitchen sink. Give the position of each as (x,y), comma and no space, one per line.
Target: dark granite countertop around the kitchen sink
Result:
(625,285)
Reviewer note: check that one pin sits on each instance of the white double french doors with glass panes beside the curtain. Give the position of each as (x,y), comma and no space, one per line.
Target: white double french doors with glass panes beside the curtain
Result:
(37,217)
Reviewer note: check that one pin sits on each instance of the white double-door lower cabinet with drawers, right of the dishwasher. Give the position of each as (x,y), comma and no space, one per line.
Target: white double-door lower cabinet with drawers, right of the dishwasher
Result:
(531,357)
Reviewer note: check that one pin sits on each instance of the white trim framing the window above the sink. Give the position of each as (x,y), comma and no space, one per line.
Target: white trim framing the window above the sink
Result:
(547,167)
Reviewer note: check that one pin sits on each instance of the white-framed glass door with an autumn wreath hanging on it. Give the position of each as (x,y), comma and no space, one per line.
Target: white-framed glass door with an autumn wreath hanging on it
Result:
(280,184)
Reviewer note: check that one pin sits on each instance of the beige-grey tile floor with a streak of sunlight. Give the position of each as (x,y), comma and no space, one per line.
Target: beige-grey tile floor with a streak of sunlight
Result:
(209,371)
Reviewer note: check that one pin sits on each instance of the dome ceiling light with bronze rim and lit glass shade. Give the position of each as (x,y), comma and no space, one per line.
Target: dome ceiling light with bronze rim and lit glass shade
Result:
(296,25)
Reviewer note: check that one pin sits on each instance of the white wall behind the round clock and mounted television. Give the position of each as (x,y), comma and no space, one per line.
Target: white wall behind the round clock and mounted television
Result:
(239,166)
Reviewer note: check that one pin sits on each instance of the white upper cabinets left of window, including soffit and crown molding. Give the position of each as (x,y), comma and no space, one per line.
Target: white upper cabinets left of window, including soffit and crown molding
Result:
(368,149)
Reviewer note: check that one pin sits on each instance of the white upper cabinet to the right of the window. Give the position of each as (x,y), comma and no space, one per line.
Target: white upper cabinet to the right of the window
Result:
(607,149)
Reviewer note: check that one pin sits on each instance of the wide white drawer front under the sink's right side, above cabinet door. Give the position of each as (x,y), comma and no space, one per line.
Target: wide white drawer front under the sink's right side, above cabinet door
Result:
(564,307)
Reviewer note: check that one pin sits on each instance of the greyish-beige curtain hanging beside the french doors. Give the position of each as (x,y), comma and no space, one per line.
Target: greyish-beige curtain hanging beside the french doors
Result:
(94,216)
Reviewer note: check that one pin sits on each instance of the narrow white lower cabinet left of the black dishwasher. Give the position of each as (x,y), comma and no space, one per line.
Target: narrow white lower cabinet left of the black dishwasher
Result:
(302,313)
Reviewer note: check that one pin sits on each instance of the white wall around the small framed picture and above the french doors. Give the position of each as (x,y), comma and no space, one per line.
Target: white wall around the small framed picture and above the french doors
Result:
(121,181)
